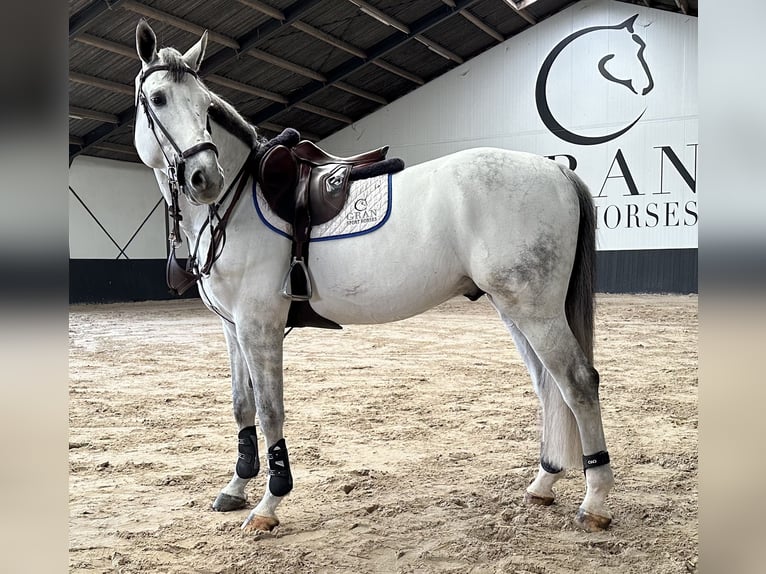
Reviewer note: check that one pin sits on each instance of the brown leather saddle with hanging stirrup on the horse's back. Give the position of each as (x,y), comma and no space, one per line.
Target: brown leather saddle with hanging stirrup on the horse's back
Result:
(306,186)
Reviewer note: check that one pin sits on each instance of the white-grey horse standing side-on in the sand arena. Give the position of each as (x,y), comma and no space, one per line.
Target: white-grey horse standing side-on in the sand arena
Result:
(514,226)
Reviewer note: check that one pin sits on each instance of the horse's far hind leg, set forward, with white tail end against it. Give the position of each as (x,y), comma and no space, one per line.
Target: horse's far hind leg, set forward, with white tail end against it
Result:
(560,446)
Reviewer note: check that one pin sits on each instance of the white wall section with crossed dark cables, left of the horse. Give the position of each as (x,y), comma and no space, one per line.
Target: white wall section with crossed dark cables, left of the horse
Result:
(120,195)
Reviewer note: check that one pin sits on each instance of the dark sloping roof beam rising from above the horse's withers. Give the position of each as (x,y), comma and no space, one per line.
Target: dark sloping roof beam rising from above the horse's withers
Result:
(420,26)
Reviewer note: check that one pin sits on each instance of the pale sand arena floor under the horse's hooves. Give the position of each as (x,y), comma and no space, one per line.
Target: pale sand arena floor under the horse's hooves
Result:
(411,445)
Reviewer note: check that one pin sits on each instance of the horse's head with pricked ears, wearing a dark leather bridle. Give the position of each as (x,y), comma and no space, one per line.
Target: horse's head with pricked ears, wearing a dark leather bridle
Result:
(172,131)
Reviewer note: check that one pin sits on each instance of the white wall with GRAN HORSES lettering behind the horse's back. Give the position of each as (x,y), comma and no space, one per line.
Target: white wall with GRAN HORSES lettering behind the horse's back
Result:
(643,201)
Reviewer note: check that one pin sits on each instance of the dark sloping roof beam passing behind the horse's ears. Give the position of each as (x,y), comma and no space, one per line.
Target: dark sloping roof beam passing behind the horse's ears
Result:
(250,40)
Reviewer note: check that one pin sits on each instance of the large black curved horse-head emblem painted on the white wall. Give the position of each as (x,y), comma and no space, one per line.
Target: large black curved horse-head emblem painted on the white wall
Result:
(636,63)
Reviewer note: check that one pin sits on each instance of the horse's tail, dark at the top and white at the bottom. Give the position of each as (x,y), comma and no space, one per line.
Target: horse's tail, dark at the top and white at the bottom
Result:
(562,447)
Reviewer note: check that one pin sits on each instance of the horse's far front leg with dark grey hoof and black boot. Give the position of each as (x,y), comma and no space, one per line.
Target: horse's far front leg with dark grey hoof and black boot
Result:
(233,496)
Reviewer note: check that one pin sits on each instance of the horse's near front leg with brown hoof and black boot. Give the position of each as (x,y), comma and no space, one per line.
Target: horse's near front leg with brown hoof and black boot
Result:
(261,346)
